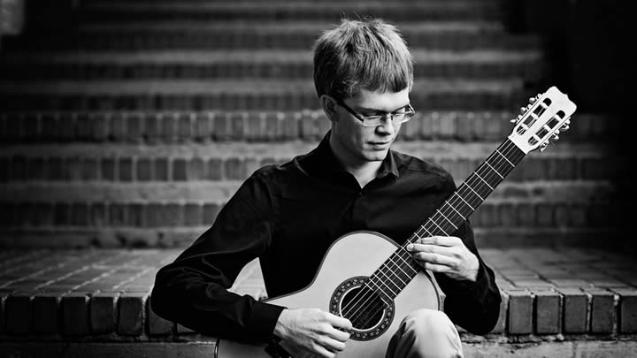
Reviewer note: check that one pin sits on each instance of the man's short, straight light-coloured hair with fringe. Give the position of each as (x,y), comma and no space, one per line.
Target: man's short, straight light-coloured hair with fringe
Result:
(361,54)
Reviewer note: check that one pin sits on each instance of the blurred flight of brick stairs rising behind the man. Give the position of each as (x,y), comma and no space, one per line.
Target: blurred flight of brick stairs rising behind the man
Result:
(135,128)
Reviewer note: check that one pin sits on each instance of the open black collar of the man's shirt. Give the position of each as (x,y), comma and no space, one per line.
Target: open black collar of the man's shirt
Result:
(322,162)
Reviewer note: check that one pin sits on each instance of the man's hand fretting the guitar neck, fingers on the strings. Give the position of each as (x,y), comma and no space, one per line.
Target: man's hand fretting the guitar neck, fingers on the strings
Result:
(447,255)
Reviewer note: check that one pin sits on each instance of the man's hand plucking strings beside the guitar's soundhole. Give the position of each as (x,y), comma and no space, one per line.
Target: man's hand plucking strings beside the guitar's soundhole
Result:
(310,332)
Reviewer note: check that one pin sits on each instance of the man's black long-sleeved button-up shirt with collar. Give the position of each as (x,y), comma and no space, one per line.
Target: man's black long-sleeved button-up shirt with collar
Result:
(288,215)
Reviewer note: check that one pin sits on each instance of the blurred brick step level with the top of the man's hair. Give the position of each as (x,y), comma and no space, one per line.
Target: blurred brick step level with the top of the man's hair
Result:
(453,36)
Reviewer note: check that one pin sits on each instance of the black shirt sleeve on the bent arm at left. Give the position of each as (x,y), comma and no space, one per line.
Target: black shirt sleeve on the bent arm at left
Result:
(193,289)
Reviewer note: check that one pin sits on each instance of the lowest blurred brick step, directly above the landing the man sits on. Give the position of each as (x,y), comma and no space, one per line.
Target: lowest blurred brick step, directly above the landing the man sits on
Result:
(499,223)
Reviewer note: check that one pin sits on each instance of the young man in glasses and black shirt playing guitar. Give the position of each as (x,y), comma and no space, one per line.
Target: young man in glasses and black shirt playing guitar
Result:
(288,215)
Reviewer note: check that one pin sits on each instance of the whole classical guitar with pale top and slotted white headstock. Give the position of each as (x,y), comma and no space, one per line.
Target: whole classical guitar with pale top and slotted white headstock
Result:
(370,280)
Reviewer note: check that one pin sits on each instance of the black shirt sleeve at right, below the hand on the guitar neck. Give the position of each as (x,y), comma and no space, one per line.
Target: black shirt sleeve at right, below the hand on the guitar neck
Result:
(475,306)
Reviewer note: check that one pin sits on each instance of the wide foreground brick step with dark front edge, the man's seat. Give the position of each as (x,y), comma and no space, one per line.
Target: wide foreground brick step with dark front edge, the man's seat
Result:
(90,296)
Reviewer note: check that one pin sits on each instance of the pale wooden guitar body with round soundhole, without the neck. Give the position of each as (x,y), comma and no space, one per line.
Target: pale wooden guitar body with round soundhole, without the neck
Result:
(347,264)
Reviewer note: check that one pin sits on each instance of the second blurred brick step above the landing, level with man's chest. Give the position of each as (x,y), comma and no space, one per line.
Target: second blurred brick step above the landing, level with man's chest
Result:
(513,192)
